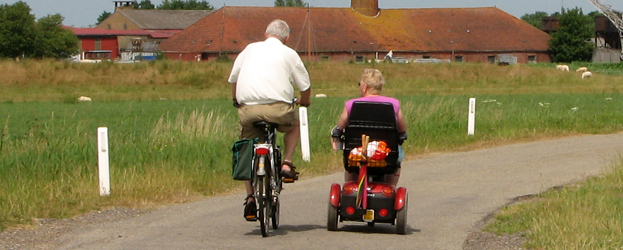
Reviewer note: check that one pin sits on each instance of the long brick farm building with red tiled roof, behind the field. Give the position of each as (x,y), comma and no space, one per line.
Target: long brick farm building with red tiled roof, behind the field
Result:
(364,33)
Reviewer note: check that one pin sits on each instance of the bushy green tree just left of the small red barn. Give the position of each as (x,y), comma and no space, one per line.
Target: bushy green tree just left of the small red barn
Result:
(54,41)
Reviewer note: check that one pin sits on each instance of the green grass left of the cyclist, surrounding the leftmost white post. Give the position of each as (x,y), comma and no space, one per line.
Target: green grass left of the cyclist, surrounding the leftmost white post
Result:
(49,160)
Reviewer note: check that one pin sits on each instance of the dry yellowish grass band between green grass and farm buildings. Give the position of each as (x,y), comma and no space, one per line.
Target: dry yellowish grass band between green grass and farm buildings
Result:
(38,81)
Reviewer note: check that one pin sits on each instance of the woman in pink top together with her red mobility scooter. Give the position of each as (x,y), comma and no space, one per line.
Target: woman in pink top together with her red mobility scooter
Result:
(370,192)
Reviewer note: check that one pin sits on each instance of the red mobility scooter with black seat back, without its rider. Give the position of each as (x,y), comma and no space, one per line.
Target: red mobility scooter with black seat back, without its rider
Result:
(370,199)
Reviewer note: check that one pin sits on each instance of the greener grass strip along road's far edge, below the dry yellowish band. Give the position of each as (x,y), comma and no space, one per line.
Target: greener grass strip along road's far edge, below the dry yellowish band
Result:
(178,150)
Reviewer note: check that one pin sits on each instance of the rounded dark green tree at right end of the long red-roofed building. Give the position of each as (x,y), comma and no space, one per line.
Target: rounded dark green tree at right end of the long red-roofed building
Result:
(570,42)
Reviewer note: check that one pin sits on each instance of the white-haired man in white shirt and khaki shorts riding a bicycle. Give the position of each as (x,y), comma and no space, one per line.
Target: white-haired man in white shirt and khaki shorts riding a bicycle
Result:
(263,79)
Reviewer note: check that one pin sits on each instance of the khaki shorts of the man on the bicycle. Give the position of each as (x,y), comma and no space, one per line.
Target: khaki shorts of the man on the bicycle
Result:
(281,113)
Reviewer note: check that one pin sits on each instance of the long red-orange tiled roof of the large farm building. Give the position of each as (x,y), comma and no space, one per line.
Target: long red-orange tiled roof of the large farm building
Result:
(230,29)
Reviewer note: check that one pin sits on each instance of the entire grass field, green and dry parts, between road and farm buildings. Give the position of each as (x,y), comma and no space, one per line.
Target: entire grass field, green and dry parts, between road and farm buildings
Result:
(171,124)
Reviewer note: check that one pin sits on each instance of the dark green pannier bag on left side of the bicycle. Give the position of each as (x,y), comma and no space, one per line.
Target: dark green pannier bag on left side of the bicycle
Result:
(242,161)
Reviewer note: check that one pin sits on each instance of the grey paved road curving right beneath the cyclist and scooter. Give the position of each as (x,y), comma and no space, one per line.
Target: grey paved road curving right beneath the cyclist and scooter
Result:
(448,195)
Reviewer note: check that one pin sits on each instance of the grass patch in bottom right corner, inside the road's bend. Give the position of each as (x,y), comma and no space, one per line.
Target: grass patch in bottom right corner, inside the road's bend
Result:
(587,215)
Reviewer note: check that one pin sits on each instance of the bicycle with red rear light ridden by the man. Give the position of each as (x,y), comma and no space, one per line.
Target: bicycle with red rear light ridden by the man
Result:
(266,179)
